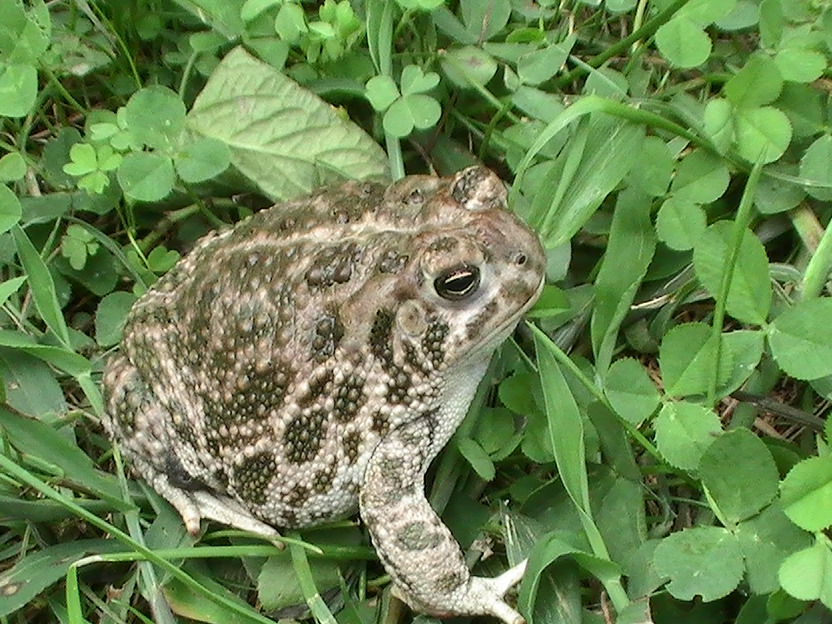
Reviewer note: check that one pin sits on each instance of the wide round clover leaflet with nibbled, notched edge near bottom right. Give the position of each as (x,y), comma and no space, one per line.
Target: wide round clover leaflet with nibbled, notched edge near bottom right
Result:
(703,561)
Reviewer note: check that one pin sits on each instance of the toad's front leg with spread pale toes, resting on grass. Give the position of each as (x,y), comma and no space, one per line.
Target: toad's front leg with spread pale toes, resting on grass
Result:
(416,548)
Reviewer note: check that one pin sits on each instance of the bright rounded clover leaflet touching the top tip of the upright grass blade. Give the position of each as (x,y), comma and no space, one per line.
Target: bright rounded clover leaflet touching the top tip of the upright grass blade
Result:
(762,133)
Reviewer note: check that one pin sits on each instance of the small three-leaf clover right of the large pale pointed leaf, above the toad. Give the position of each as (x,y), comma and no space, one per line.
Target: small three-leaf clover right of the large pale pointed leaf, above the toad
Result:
(406,108)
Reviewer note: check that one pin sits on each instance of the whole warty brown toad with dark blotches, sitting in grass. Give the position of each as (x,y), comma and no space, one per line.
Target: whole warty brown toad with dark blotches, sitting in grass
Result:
(314,360)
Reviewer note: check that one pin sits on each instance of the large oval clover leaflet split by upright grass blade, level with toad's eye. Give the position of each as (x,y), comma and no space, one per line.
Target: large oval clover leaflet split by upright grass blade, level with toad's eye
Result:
(749,293)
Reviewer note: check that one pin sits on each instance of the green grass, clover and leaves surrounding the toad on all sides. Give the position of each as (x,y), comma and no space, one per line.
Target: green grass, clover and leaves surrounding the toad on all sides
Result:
(654,440)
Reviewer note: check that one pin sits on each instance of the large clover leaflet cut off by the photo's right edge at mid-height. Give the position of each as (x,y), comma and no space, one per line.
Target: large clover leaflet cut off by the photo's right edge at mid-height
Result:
(800,343)
